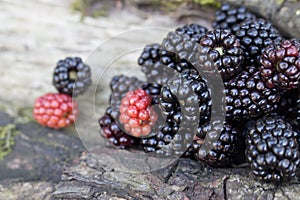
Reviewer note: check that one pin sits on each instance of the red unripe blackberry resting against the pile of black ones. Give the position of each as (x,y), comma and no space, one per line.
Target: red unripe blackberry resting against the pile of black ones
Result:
(136,113)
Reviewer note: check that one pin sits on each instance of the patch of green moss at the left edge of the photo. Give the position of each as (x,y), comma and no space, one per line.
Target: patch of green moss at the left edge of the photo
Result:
(7,134)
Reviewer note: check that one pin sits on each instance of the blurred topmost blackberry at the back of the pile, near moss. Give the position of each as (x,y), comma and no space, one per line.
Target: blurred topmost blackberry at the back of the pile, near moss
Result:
(229,17)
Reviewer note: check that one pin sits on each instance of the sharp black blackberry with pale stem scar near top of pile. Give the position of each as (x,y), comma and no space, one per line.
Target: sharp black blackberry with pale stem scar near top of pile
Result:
(222,48)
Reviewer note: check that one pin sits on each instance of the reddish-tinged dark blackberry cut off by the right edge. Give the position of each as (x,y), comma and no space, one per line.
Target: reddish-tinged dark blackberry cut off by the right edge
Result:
(280,65)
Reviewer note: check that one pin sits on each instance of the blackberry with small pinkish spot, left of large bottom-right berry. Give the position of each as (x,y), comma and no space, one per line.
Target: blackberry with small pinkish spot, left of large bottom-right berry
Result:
(224,152)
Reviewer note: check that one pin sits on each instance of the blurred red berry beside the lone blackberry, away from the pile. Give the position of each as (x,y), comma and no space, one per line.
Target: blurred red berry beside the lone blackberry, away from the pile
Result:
(55,110)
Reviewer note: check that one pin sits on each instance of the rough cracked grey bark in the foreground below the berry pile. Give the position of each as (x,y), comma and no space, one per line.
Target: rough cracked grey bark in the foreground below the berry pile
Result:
(183,180)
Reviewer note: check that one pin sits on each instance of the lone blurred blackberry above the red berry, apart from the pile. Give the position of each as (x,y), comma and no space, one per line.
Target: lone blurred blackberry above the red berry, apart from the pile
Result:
(71,76)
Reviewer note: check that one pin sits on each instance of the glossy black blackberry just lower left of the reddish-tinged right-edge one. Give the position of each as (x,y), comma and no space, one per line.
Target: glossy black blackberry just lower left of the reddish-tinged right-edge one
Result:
(248,97)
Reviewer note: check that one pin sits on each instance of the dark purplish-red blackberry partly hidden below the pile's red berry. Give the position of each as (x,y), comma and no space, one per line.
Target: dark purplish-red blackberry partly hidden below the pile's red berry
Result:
(113,133)
